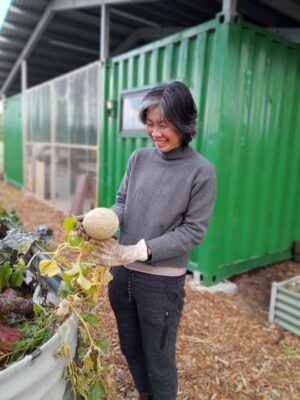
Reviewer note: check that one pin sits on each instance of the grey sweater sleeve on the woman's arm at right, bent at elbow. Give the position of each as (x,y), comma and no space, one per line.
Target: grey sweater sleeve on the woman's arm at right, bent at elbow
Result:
(194,226)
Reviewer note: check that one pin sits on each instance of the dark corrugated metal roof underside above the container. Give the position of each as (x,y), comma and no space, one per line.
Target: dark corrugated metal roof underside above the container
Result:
(68,35)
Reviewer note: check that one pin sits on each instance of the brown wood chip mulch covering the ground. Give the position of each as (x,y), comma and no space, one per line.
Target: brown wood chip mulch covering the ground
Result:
(226,348)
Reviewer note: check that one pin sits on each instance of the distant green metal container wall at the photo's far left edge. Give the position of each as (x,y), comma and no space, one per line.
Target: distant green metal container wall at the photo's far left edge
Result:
(13,141)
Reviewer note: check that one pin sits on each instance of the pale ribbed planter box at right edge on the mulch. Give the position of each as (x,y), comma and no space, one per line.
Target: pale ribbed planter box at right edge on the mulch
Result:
(285,304)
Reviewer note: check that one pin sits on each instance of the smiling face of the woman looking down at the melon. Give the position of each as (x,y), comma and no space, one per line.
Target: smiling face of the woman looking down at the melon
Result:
(161,132)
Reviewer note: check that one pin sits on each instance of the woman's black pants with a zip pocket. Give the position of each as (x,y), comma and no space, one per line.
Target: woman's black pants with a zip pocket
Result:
(148,309)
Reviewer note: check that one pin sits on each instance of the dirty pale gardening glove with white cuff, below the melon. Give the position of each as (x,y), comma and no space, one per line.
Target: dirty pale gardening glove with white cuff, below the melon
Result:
(110,253)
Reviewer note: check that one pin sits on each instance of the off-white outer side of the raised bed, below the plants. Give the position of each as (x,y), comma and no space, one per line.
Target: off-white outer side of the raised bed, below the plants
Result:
(39,376)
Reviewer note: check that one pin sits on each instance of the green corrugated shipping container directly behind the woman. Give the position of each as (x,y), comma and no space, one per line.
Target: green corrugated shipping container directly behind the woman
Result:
(246,85)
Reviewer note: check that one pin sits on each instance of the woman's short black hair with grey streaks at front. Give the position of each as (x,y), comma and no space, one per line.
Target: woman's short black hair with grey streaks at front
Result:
(176,105)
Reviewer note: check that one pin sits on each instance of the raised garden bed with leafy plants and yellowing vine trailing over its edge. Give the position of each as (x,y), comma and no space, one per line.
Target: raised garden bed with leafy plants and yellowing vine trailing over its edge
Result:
(38,345)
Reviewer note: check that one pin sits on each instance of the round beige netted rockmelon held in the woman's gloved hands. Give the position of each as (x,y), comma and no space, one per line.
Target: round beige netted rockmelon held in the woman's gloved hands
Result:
(100,223)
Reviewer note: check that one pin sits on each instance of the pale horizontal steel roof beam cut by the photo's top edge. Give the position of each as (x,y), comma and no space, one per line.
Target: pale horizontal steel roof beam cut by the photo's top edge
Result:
(61,5)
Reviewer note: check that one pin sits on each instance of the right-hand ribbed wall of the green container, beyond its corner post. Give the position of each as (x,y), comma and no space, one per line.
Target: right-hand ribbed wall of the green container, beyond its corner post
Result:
(255,219)
